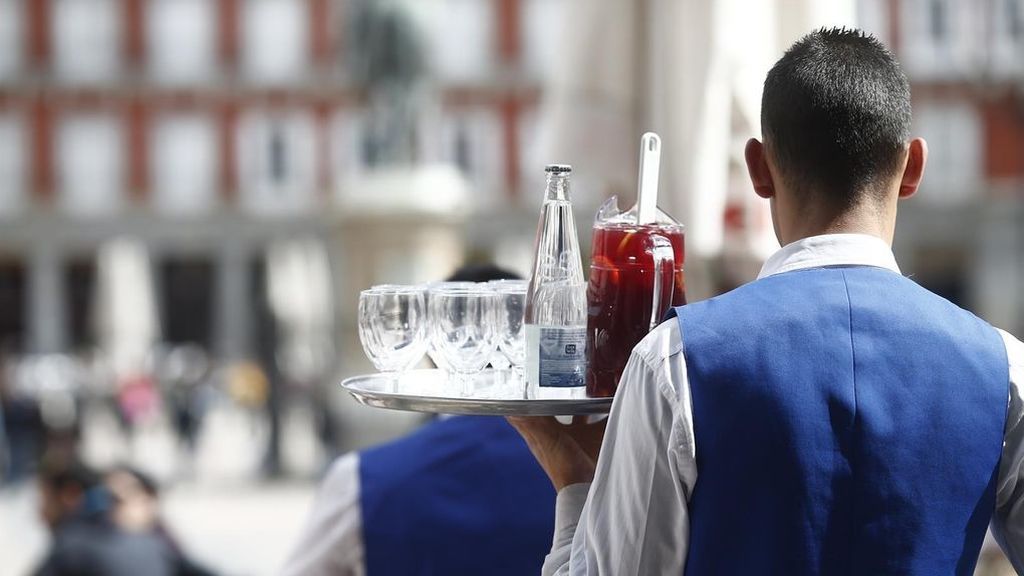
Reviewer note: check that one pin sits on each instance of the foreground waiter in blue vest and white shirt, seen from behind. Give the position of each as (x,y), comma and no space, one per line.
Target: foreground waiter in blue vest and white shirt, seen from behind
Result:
(832,418)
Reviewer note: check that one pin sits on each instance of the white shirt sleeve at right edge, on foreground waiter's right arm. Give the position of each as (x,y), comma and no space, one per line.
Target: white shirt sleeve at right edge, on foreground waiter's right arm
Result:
(1008,522)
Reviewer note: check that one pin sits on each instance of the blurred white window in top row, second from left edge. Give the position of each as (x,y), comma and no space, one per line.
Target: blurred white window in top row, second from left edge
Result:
(87,40)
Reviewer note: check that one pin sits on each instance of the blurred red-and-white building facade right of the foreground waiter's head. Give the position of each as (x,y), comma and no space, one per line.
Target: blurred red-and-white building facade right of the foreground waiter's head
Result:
(962,235)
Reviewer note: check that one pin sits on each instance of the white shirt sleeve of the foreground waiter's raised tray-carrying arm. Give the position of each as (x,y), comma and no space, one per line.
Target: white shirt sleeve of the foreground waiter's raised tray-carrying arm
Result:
(634,520)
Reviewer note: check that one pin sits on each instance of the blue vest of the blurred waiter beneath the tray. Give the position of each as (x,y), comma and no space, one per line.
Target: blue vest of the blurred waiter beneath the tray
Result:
(459,497)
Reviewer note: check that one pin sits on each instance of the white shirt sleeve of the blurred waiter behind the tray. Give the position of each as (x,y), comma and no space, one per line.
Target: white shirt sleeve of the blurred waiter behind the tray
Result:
(332,541)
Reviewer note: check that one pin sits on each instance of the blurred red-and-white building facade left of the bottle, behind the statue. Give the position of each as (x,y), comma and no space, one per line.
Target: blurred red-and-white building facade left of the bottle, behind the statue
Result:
(208,131)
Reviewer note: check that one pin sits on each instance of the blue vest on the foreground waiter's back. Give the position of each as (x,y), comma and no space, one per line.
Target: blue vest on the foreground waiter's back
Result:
(847,422)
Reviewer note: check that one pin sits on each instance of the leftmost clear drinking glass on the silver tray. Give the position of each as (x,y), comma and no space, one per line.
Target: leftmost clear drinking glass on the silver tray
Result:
(393,326)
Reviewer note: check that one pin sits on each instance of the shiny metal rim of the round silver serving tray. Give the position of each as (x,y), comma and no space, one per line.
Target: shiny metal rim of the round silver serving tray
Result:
(474,406)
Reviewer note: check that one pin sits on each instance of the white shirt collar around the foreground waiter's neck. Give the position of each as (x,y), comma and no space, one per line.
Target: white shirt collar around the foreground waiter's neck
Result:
(831,251)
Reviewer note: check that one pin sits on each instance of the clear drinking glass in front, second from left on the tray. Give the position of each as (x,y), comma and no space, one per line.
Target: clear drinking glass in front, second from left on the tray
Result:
(463,330)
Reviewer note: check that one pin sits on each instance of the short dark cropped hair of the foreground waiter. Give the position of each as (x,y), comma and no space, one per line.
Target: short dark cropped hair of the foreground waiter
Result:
(836,116)
